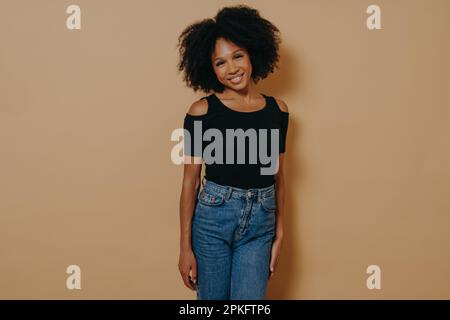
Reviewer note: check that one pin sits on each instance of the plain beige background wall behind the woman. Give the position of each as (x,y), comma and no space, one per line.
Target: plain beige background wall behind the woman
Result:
(86,176)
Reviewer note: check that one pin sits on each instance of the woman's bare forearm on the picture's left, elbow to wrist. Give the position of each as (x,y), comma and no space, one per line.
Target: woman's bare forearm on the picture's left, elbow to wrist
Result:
(187,207)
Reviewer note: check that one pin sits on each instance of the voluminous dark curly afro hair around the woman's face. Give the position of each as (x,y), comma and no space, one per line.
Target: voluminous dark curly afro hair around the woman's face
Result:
(239,24)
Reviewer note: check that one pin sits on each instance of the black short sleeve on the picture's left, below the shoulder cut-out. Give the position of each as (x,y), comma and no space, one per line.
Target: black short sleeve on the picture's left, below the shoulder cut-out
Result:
(193,142)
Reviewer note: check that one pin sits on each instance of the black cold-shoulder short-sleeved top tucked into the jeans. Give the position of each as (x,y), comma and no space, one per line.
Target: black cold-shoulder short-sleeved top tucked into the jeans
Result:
(227,170)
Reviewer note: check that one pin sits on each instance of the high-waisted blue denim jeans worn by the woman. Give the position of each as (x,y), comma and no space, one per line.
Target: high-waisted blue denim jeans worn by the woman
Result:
(232,234)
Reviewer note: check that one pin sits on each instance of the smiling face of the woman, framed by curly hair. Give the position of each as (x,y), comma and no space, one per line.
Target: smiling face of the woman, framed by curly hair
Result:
(231,64)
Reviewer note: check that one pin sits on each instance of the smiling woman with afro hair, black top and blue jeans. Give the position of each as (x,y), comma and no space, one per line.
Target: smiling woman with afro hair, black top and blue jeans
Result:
(232,230)
